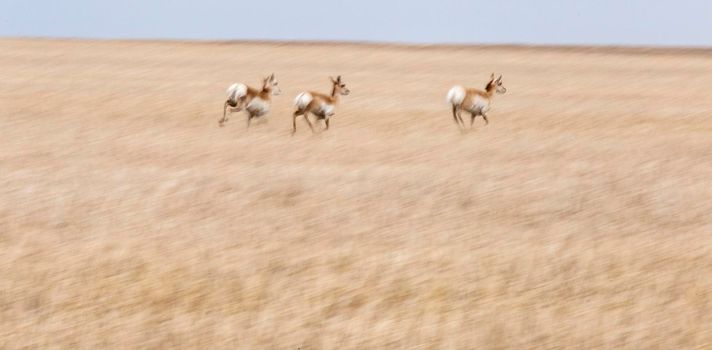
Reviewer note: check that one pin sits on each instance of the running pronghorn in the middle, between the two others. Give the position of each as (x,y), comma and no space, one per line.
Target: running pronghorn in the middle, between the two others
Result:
(321,105)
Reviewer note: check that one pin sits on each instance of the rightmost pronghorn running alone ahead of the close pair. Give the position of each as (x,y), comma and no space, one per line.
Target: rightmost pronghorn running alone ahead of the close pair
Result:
(474,101)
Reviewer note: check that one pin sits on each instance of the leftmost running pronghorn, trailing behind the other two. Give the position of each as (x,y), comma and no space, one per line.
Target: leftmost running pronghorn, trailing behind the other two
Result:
(255,102)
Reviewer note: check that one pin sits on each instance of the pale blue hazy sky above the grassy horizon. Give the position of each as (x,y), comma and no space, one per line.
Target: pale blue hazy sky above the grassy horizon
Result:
(626,22)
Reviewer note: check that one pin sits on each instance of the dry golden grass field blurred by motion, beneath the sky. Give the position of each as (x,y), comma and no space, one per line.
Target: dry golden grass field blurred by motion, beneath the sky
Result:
(580,218)
